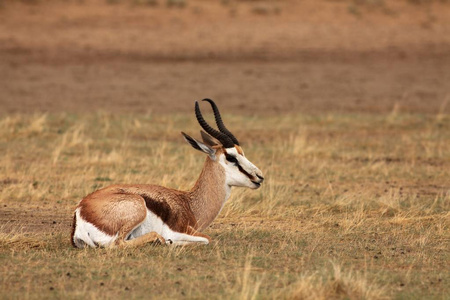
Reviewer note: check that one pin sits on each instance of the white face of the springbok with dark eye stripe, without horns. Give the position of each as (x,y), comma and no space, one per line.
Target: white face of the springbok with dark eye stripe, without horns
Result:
(239,170)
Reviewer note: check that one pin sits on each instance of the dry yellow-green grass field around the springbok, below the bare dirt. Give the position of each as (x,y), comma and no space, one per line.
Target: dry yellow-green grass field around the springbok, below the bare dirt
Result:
(354,207)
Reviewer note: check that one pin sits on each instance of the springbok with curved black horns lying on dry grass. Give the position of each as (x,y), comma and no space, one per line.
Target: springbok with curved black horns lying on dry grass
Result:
(132,215)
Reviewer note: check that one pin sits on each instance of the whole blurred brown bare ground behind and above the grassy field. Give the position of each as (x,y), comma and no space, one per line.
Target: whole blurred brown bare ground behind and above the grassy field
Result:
(252,56)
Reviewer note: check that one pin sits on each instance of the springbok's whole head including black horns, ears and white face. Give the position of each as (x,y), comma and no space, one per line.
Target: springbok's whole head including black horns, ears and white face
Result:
(223,148)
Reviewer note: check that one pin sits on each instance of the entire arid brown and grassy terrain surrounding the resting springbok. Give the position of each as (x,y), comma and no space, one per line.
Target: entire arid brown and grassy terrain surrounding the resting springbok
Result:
(344,105)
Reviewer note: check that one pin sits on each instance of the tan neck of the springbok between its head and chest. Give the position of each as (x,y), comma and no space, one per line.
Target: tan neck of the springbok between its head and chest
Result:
(209,194)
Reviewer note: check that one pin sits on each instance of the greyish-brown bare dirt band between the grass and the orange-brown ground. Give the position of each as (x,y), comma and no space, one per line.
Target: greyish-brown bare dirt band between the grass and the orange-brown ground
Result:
(275,87)
